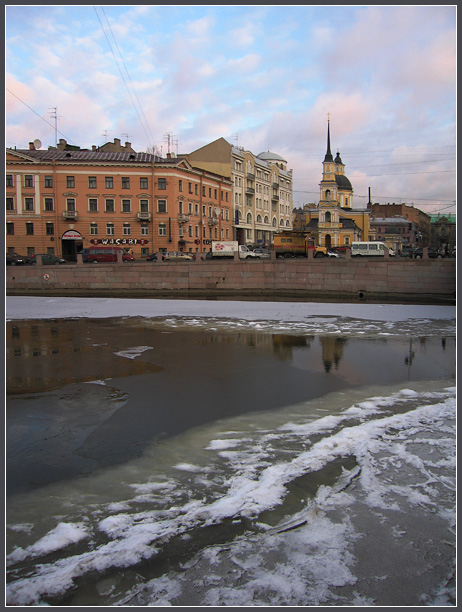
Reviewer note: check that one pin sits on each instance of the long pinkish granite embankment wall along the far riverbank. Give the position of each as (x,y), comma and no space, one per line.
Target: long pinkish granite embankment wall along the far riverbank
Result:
(391,279)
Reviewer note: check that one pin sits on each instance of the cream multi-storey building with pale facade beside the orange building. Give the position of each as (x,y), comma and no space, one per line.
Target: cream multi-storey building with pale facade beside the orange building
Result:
(262,189)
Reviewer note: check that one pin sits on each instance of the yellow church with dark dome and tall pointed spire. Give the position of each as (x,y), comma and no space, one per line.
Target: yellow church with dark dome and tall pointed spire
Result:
(333,221)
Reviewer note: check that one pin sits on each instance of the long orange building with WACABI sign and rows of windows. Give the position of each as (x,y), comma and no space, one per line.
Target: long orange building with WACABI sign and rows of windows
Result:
(60,201)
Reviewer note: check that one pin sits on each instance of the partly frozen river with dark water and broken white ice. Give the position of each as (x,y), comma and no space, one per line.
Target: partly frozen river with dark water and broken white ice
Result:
(181,452)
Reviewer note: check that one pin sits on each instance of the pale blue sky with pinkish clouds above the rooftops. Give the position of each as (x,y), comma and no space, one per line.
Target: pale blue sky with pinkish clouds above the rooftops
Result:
(265,78)
